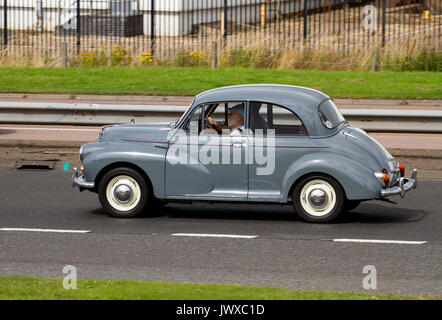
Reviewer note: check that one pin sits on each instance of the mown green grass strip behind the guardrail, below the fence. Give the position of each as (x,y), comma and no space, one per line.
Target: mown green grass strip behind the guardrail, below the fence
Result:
(190,81)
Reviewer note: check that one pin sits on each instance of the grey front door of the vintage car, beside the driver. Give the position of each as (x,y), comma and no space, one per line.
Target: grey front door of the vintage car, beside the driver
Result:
(204,165)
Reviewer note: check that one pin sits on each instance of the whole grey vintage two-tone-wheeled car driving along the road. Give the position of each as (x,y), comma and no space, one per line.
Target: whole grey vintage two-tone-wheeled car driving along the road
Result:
(249,143)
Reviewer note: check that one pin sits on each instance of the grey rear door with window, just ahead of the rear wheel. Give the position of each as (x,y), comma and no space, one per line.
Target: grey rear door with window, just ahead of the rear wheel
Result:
(290,141)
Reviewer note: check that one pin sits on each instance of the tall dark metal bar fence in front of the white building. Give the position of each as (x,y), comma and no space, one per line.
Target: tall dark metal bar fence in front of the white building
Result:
(164,30)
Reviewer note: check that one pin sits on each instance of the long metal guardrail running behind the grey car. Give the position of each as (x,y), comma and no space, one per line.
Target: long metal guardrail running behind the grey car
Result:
(101,114)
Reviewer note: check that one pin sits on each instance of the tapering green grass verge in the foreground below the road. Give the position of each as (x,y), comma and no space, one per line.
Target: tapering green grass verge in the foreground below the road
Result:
(19,288)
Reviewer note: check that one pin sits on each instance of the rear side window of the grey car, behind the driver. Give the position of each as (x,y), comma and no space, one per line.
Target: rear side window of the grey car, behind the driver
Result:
(267,116)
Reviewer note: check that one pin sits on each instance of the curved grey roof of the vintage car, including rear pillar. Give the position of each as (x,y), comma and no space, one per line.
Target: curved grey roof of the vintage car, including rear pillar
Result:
(302,101)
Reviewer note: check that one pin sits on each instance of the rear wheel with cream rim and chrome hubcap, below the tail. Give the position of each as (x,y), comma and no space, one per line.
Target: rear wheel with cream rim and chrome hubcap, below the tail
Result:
(318,198)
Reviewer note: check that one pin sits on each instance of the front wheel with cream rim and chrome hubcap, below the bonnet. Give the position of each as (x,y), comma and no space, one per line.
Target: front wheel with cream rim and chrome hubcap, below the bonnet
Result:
(123,193)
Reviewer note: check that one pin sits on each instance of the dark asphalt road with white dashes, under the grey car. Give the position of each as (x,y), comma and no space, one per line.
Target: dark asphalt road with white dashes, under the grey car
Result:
(286,252)
